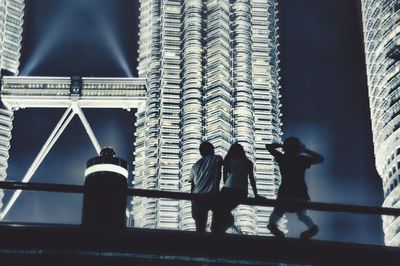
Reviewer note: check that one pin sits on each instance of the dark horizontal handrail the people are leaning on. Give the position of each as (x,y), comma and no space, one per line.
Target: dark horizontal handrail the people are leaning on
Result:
(286,203)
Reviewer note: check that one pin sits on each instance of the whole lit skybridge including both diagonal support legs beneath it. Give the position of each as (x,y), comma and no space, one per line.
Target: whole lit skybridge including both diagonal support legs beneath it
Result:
(73,94)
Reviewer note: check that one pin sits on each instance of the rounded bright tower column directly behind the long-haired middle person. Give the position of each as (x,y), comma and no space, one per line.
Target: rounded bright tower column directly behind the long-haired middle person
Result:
(243,109)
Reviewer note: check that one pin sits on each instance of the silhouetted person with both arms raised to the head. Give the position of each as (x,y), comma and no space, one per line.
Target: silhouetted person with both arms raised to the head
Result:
(293,164)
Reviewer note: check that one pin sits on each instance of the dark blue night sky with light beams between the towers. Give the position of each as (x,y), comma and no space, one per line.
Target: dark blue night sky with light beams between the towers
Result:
(324,97)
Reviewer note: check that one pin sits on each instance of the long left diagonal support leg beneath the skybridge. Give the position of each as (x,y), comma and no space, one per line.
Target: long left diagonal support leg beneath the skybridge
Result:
(55,134)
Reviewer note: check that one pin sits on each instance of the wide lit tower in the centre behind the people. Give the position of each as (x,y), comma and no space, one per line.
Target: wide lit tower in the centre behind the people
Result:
(212,74)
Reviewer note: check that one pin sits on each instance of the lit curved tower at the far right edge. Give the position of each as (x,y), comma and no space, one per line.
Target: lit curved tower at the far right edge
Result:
(381,19)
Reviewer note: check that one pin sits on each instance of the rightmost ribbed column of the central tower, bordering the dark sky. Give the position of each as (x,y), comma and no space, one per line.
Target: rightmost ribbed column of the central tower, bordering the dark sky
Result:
(266,102)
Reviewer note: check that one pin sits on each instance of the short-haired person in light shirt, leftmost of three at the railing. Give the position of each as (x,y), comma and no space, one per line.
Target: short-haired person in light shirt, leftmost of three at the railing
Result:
(205,177)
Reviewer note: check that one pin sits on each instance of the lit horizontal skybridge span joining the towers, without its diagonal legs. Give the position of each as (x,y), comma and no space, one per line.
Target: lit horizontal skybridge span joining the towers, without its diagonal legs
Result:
(64,92)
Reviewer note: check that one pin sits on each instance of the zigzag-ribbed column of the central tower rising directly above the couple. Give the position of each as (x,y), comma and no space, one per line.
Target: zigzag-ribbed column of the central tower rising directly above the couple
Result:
(218,89)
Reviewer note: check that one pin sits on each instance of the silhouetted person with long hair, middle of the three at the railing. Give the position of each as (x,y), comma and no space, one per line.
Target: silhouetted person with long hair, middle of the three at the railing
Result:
(238,170)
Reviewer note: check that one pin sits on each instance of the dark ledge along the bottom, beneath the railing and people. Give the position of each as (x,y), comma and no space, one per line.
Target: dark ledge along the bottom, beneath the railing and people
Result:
(70,245)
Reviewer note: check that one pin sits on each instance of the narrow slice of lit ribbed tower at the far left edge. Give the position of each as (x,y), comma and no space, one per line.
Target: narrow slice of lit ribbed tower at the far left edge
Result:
(11,20)
